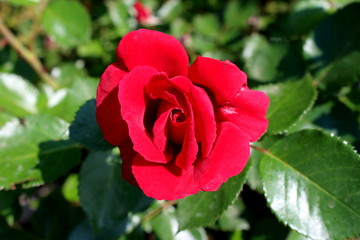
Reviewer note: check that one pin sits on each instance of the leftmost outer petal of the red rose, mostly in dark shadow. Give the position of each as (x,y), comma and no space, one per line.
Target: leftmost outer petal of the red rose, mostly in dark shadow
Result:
(108,110)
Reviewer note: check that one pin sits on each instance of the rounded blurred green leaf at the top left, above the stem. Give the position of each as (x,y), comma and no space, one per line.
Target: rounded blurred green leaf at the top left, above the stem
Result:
(67,22)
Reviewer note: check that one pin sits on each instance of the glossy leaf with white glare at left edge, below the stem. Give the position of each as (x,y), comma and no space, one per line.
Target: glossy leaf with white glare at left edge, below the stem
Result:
(17,95)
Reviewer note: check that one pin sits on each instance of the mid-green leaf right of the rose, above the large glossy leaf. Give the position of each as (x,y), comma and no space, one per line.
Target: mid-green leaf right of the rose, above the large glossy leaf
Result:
(288,102)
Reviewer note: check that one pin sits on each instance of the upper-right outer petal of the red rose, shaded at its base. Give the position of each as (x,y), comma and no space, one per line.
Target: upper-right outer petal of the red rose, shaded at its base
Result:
(222,80)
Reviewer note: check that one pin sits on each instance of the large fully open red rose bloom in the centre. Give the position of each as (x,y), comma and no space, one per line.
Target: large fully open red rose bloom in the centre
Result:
(180,128)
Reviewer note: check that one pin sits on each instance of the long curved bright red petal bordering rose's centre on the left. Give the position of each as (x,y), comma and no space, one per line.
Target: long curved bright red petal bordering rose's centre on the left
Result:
(133,105)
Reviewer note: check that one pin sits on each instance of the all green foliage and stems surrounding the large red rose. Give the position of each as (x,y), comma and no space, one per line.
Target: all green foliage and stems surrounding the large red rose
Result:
(60,180)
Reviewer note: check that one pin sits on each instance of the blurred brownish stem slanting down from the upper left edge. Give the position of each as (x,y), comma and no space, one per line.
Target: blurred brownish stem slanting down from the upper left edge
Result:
(27,55)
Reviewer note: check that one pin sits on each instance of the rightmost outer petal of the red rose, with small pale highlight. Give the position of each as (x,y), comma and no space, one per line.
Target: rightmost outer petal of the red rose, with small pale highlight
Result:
(248,111)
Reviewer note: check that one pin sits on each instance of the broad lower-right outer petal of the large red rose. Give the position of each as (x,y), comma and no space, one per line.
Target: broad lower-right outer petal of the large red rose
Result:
(229,156)
